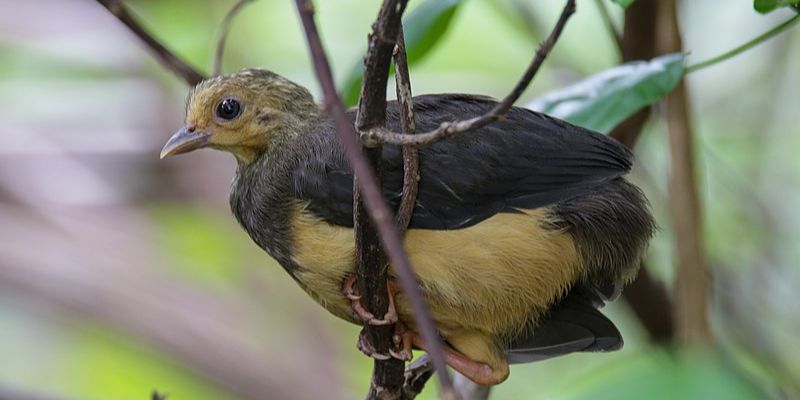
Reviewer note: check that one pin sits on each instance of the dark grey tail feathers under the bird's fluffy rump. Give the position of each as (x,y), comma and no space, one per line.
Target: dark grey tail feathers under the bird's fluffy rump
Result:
(572,325)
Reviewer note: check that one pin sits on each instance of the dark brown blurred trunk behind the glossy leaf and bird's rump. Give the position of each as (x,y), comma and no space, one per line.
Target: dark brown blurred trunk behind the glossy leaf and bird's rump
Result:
(646,296)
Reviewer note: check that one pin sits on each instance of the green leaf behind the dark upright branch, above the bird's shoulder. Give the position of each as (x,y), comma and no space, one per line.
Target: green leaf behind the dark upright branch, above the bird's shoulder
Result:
(423,27)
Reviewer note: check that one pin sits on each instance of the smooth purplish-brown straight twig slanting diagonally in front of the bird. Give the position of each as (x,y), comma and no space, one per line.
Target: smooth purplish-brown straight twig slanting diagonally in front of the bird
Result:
(376,207)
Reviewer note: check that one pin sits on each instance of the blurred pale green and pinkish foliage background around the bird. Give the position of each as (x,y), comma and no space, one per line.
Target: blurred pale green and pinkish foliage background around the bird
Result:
(120,273)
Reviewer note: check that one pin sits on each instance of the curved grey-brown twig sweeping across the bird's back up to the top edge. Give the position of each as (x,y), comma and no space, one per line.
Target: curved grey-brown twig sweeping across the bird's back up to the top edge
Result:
(447,129)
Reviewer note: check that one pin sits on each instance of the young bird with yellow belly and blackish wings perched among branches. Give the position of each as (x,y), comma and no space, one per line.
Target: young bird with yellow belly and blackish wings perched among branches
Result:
(521,229)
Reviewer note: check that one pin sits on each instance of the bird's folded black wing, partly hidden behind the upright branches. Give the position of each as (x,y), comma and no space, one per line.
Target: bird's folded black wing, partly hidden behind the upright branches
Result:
(524,161)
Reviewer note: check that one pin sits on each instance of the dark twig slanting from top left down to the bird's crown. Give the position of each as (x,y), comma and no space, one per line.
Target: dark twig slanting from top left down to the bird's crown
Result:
(162,54)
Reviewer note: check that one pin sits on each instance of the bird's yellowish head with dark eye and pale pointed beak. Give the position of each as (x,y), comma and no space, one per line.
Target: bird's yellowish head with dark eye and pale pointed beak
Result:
(245,113)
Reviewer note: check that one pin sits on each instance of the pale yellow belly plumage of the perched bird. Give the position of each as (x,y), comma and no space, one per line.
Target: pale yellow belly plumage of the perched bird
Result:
(493,278)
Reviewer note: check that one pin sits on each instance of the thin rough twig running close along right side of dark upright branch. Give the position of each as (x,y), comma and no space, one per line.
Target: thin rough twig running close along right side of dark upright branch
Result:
(410,154)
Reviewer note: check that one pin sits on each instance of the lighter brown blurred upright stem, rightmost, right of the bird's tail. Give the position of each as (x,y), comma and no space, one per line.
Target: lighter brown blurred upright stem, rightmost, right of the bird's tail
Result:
(692,284)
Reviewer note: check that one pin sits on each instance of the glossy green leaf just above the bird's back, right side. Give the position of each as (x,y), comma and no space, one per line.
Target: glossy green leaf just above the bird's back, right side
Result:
(601,101)
